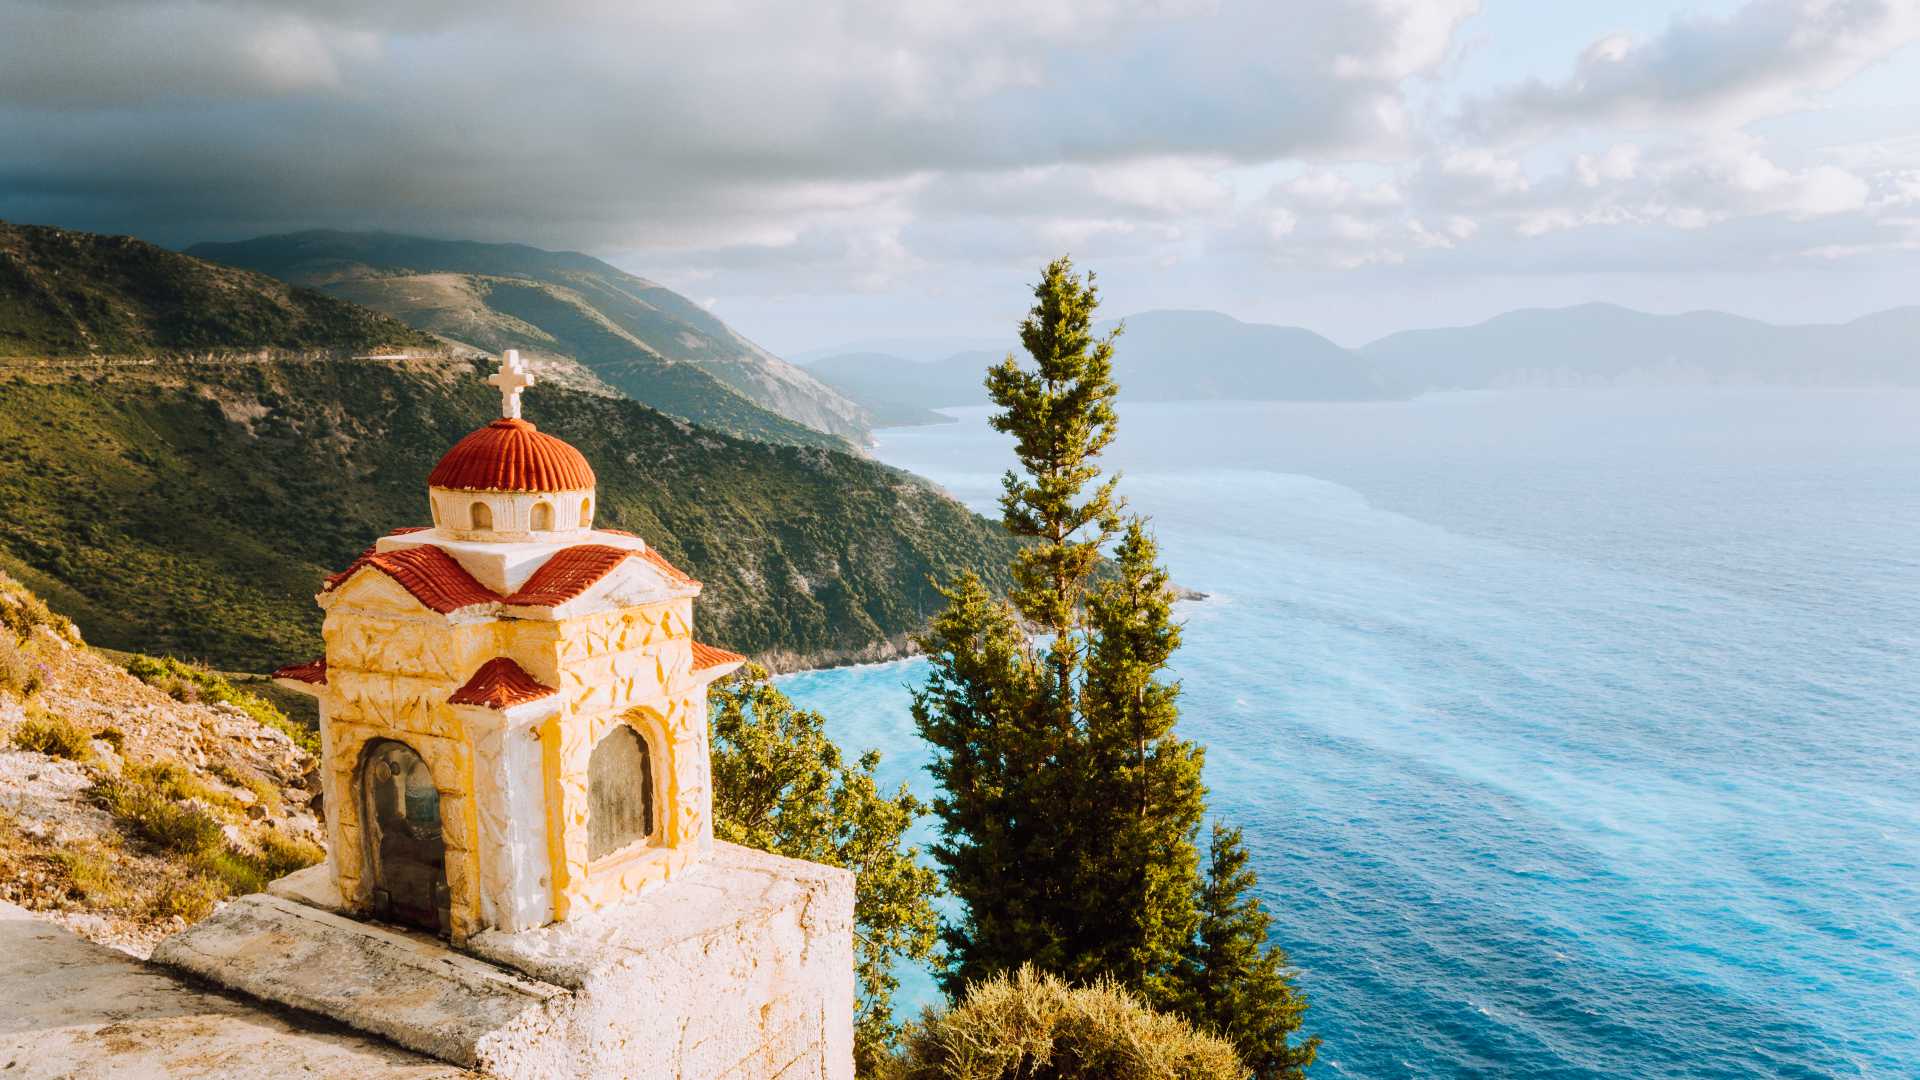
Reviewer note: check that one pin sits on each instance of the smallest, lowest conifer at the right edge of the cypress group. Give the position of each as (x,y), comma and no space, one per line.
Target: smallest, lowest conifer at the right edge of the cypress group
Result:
(1234,981)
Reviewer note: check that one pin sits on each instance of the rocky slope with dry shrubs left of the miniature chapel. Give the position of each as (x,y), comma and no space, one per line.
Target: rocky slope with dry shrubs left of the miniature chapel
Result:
(132,806)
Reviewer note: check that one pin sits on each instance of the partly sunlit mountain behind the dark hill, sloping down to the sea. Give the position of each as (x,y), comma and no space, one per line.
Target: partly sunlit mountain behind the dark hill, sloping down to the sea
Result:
(638,337)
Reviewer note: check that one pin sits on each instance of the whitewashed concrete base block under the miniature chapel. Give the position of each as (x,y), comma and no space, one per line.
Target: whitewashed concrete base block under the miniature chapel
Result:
(738,970)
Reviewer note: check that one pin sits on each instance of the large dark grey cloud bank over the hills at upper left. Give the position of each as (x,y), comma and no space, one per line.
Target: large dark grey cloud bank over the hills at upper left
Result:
(602,126)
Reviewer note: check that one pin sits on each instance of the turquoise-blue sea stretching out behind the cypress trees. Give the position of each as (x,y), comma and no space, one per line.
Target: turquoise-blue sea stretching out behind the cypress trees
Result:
(1575,735)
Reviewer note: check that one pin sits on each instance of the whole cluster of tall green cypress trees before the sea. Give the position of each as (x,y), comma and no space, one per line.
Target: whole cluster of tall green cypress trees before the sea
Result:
(1070,808)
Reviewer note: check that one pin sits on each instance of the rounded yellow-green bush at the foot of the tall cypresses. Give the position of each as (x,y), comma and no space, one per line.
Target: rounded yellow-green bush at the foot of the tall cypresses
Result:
(1034,1027)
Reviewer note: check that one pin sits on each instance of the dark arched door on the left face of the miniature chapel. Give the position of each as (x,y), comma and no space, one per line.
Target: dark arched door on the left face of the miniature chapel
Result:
(406,848)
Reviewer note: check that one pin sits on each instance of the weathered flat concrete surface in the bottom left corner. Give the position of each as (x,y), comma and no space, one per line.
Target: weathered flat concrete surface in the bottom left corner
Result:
(70,1008)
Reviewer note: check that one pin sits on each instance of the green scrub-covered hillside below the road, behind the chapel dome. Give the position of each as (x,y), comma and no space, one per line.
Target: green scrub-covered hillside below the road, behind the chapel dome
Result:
(191,508)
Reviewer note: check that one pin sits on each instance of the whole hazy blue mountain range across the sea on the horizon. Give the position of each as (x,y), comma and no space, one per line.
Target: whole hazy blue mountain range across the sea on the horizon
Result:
(1197,356)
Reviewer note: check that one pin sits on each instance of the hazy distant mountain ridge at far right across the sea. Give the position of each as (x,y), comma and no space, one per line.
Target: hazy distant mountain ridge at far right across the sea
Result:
(1602,345)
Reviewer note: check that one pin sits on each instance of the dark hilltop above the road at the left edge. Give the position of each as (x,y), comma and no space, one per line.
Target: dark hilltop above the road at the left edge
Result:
(66,293)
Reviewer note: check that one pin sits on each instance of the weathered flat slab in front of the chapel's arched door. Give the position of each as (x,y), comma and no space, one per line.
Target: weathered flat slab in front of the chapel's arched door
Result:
(408,989)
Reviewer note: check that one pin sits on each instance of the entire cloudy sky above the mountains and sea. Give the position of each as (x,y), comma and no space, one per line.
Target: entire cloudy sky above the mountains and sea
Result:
(844,170)
